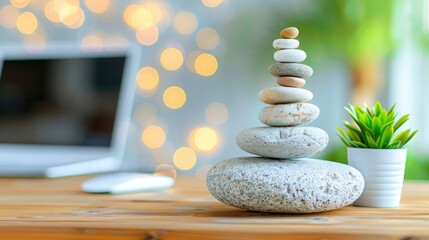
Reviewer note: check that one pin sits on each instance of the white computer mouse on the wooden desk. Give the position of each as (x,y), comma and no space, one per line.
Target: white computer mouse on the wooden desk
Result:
(125,182)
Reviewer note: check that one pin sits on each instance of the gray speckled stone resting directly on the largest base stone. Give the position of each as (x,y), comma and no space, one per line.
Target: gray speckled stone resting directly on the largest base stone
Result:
(283,142)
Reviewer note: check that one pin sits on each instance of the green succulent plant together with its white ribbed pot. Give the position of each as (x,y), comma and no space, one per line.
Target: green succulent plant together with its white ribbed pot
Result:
(376,149)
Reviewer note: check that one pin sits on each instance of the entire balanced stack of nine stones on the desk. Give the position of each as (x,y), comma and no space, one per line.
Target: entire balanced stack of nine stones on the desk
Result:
(283,178)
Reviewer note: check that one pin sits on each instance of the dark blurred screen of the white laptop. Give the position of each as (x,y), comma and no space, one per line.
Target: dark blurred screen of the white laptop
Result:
(60,101)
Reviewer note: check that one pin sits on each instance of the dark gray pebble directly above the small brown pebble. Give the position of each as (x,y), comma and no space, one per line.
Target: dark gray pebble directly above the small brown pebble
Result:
(291,69)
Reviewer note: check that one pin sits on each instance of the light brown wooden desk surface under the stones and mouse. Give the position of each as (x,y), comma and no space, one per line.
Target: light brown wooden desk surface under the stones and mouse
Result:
(57,209)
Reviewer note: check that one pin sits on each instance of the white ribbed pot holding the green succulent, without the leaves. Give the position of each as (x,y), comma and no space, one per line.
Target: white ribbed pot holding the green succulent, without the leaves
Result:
(383,172)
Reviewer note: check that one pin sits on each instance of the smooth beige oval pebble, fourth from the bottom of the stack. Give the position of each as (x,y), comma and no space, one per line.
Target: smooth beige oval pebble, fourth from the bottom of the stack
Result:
(278,95)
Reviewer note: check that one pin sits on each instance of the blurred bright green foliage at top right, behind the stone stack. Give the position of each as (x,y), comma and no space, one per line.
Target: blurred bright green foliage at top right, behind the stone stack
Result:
(352,29)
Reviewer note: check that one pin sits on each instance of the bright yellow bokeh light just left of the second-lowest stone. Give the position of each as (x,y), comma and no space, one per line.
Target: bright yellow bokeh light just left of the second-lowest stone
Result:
(203,139)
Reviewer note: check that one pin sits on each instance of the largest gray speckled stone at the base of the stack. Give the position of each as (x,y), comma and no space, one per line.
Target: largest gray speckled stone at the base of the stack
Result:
(284,186)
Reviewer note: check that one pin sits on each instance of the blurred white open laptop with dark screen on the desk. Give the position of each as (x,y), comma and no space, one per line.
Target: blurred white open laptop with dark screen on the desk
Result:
(64,111)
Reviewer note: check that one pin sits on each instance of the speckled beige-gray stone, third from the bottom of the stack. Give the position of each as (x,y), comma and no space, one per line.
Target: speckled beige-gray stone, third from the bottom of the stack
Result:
(286,115)
